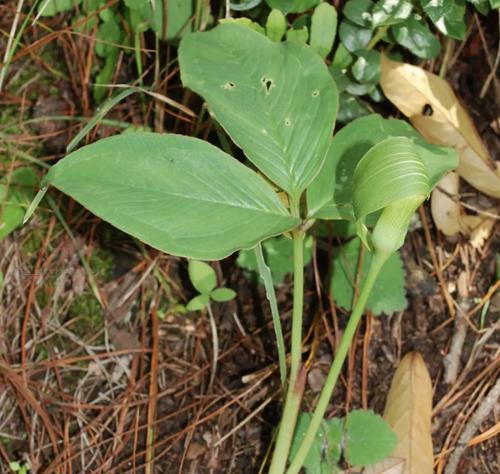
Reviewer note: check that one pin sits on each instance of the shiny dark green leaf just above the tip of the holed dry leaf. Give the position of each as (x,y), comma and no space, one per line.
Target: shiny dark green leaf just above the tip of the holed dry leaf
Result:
(416,36)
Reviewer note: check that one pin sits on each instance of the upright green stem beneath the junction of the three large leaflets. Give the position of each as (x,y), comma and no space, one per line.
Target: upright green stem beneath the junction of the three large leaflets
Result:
(296,382)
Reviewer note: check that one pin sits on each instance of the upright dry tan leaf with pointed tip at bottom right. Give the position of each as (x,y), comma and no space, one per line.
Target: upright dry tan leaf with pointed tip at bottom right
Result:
(408,411)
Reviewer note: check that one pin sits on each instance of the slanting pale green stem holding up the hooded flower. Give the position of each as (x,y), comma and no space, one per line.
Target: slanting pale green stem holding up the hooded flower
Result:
(326,393)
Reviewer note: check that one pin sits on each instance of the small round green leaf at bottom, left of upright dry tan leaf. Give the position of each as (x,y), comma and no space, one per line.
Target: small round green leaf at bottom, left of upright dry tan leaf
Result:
(368,438)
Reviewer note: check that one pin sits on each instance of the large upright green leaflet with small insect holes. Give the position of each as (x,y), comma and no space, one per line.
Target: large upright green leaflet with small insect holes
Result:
(277,101)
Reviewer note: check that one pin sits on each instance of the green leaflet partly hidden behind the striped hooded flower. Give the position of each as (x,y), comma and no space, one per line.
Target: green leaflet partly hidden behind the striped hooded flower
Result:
(330,194)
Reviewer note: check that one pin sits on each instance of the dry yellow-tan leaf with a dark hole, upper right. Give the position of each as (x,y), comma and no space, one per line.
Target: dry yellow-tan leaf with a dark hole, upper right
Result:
(435,111)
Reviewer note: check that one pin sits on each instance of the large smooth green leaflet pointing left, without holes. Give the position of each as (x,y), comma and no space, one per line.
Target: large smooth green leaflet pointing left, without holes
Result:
(176,193)
